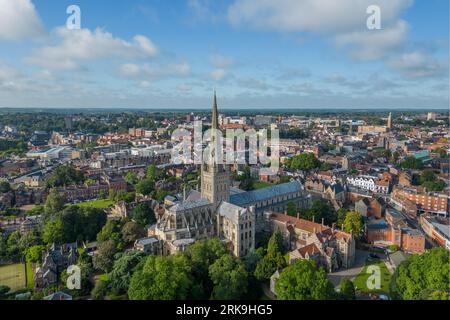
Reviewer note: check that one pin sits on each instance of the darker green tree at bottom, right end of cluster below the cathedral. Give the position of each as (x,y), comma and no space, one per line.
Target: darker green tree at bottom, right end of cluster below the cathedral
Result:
(229,277)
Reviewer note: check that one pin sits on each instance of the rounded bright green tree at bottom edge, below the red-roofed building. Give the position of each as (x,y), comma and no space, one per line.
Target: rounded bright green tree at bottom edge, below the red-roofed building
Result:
(304,280)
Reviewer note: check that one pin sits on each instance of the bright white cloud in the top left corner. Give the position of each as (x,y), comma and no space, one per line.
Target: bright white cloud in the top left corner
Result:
(19,20)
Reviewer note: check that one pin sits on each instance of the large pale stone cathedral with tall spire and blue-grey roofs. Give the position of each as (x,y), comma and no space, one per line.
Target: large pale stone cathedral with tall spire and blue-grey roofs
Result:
(219,210)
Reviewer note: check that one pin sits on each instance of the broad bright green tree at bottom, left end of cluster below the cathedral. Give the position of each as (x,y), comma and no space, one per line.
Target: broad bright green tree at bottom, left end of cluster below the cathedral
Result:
(161,278)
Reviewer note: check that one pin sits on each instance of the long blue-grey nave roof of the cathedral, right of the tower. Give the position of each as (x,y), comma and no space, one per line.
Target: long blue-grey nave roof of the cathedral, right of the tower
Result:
(245,198)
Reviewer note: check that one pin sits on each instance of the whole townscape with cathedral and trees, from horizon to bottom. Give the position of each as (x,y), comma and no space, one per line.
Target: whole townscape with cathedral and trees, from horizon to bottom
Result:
(358,207)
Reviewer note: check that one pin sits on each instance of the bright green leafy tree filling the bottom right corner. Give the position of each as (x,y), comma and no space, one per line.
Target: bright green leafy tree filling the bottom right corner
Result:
(429,271)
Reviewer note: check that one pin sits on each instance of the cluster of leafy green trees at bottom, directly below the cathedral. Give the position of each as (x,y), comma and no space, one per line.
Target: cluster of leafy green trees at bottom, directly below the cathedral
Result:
(206,270)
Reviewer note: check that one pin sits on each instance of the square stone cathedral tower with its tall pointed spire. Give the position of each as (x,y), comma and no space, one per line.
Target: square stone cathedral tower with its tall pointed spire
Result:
(215,176)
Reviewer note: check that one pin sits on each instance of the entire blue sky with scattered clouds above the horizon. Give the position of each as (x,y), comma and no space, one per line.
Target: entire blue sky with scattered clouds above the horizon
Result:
(256,53)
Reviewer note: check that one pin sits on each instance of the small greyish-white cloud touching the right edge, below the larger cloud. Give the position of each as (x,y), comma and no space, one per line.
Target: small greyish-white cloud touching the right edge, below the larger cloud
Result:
(418,64)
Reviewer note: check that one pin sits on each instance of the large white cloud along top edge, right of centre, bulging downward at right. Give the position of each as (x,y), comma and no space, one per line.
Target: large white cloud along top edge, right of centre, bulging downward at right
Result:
(343,21)
